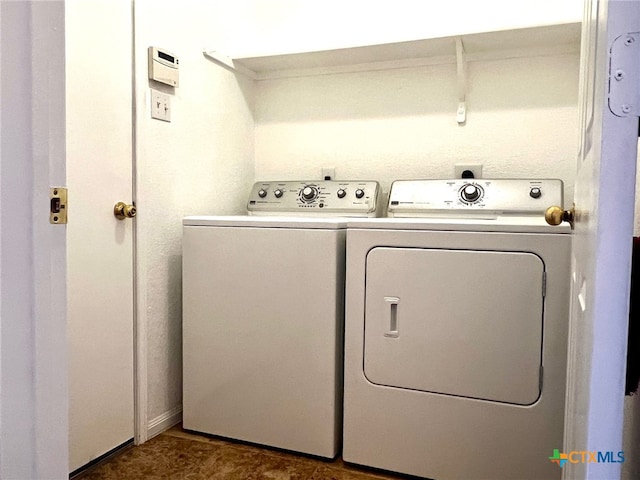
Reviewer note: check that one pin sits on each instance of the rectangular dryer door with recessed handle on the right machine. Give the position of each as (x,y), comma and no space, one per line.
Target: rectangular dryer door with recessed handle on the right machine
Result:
(458,322)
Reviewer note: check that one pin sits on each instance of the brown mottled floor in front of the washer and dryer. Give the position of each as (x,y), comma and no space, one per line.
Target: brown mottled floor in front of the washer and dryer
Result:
(181,455)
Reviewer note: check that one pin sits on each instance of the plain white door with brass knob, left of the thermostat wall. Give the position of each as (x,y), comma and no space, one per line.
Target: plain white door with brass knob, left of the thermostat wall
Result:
(100,247)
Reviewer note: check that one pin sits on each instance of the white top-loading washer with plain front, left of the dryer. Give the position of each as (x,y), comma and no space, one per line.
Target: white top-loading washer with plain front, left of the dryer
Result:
(263,316)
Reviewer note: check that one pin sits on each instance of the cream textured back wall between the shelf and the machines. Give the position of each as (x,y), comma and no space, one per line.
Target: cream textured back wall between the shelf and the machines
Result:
(393,124)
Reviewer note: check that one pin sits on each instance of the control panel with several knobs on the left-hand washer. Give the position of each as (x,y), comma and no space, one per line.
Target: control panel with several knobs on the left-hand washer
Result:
(328,198)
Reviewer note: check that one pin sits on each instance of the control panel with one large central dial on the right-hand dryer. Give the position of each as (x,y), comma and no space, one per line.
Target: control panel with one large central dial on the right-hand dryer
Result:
(409,198)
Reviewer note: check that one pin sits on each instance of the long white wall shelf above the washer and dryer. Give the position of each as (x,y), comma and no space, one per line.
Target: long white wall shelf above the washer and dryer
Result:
(545,40)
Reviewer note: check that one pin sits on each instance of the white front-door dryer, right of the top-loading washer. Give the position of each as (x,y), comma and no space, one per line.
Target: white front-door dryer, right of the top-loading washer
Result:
(456,331)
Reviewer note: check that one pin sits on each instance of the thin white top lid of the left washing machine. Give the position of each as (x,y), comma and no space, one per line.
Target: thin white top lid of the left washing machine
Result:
(265,222)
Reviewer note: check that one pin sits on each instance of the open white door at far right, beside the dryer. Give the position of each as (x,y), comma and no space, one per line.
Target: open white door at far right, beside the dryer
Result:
(604,197)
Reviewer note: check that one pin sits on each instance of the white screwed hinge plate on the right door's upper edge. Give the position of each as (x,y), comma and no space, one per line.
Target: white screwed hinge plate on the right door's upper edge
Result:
(624,75)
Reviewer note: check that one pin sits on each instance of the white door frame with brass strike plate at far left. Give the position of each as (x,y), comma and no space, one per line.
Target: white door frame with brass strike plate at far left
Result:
(33,379)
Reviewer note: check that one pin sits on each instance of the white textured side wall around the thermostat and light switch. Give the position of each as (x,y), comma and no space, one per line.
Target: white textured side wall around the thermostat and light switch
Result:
(200,163)
